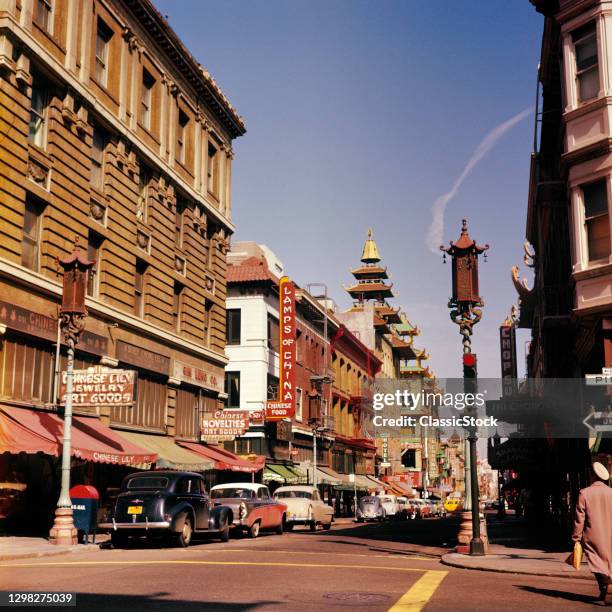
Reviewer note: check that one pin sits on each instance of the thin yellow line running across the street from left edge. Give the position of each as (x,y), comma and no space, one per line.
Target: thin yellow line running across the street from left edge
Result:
(193,562)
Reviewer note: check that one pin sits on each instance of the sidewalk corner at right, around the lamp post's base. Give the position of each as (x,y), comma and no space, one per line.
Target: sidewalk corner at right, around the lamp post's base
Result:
(512,550)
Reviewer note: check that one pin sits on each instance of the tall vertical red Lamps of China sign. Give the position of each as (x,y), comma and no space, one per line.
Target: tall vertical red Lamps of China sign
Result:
(284,407)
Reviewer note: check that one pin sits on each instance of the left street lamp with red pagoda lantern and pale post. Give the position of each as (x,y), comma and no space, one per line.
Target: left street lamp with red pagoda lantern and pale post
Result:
(72,322)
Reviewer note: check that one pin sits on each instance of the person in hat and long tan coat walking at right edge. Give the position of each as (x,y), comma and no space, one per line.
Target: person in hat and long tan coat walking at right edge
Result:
(593,526)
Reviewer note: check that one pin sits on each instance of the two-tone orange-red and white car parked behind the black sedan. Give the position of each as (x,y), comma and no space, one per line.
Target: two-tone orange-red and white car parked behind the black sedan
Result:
(253,508)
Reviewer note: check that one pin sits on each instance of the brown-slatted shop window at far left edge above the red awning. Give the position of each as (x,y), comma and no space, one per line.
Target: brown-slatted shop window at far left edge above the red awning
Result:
(26,370)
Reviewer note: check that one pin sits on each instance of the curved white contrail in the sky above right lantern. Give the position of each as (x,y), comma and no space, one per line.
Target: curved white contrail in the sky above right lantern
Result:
(436,229)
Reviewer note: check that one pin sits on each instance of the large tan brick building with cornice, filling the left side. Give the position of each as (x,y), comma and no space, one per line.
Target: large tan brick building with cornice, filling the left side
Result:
(116,137)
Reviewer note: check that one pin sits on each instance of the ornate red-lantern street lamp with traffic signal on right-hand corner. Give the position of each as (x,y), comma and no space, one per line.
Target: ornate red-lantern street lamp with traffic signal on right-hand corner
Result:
(466,311)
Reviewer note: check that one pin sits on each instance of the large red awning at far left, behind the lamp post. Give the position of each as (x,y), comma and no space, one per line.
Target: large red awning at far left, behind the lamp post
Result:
(31,431)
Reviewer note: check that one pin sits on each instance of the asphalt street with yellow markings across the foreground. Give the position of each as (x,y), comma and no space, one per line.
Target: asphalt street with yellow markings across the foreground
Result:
(393,566)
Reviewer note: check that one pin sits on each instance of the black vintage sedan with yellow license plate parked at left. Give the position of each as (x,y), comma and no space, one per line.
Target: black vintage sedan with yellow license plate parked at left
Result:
(168,503)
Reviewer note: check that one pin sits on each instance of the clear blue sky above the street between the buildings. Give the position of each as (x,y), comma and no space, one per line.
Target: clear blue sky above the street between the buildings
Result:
(360,114)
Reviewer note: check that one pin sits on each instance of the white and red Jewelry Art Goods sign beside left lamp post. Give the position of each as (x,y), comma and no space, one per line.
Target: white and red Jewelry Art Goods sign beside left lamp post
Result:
(100,387)
